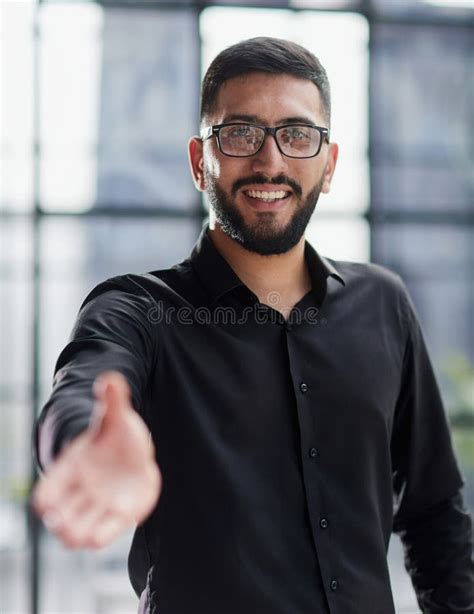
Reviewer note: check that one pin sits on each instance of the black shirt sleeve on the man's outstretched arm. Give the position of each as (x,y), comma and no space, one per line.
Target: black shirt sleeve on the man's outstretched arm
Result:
(113,330)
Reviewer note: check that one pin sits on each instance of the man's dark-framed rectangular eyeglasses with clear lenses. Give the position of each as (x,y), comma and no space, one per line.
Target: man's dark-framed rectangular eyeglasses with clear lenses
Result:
(244,140)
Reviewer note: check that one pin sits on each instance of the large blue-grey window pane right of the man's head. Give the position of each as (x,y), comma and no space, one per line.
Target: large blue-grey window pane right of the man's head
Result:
(422,150)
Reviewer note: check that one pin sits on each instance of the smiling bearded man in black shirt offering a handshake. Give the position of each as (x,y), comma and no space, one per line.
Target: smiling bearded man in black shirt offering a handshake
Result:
(293,411)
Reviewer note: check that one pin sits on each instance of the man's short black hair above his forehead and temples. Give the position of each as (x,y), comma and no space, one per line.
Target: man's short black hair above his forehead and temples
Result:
(263,54)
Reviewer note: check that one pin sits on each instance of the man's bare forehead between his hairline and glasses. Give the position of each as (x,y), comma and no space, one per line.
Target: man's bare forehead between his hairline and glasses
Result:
(269,98)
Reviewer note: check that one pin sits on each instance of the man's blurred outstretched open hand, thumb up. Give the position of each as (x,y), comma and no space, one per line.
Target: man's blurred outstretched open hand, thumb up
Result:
(106,479)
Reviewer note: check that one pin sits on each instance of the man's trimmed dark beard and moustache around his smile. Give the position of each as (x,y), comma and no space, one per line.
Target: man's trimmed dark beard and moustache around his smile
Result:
(265,237)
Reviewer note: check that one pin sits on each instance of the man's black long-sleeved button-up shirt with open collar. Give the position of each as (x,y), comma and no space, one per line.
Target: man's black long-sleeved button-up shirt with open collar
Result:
(290,449)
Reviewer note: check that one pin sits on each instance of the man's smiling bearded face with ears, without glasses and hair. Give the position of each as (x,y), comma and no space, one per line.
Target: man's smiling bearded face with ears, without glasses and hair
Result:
(265,201)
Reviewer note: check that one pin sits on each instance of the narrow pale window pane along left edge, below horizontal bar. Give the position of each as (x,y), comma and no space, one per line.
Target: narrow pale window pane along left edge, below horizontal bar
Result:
(16,317)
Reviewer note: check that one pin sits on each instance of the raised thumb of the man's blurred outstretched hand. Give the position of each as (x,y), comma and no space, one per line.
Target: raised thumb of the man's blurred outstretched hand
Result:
(113,397)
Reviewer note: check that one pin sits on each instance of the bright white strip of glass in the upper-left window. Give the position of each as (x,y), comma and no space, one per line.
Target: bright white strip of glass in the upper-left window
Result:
(70,74)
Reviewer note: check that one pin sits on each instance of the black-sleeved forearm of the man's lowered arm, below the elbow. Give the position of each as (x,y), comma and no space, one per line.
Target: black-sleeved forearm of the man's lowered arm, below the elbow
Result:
(438,555)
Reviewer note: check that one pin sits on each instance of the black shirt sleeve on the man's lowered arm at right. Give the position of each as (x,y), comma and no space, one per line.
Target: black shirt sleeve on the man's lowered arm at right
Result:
(430,517)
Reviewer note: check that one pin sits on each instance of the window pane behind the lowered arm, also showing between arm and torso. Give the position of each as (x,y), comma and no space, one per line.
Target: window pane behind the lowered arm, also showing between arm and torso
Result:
(436,262)
